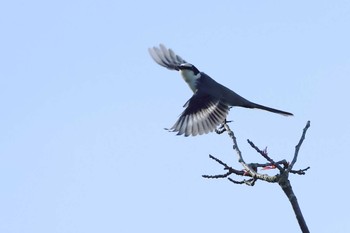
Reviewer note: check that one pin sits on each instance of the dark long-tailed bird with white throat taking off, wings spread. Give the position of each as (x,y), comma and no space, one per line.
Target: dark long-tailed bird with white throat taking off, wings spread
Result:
(210,103)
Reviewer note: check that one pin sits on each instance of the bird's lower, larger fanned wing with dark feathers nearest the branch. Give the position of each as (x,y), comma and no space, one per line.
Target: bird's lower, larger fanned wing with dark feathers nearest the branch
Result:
(202,115)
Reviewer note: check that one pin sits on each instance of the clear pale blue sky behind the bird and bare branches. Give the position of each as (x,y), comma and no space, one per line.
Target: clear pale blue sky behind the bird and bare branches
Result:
(84,107)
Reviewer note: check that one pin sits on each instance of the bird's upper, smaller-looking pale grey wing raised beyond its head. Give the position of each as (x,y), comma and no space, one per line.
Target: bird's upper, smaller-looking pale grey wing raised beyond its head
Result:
(166,57)
